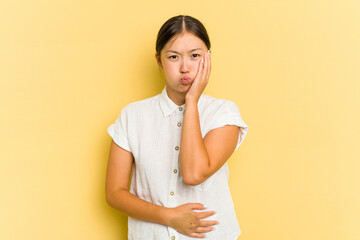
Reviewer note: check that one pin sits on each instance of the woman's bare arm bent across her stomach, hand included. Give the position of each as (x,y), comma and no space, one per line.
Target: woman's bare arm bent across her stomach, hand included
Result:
(182,218)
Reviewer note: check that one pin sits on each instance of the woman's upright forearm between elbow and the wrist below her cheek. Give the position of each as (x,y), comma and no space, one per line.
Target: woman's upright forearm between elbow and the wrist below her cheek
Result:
(194,160)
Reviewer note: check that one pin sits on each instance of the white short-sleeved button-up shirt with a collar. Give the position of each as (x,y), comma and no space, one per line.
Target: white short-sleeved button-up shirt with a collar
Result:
(151,130)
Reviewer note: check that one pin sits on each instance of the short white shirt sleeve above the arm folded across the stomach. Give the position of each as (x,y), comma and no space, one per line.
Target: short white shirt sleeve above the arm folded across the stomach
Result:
(118,131)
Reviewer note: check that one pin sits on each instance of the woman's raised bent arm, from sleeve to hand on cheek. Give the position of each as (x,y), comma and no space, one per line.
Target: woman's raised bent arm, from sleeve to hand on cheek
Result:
(200,158)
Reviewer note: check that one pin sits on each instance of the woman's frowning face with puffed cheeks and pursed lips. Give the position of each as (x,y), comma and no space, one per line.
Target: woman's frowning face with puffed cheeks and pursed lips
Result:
(179,60)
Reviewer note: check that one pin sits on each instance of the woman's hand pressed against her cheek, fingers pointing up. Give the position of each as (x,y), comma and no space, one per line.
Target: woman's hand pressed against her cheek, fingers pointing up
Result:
(201,79)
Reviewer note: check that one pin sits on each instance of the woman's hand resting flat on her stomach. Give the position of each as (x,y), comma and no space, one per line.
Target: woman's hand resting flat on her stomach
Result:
(189,222)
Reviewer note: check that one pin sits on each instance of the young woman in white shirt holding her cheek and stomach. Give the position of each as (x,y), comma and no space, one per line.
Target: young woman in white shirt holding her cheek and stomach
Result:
(178,143)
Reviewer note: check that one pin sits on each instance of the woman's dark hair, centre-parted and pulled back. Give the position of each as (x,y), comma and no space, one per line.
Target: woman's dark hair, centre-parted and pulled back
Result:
(179,24)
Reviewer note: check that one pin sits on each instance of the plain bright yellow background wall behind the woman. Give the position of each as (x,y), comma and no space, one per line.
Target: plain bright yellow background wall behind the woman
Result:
(67,67)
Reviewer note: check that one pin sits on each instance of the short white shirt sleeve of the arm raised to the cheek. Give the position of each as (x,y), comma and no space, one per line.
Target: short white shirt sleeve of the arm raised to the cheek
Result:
(227,114)
